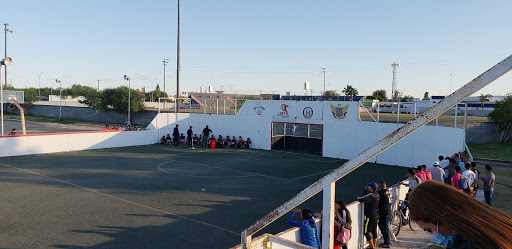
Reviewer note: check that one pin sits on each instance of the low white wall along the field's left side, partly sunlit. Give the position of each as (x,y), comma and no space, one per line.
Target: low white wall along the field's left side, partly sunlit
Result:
(39,144)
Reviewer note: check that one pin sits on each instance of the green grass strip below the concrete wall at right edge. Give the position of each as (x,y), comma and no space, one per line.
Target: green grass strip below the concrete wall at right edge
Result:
(493,151)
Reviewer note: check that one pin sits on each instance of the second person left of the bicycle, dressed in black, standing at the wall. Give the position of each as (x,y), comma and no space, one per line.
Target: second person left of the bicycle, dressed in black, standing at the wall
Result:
(371,213)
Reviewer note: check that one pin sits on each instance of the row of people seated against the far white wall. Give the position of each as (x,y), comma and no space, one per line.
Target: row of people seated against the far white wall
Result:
(213,142)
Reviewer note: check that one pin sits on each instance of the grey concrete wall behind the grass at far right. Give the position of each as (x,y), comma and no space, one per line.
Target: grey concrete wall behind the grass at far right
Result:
(477,133)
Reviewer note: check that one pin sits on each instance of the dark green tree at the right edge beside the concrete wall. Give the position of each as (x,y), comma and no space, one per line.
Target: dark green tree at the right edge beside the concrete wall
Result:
(502,117)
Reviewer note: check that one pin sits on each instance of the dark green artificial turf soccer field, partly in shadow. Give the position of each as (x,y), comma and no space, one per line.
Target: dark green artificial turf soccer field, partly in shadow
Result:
(157,196)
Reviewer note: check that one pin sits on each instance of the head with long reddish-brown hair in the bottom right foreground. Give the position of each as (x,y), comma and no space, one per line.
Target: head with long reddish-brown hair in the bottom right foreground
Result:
(457,220)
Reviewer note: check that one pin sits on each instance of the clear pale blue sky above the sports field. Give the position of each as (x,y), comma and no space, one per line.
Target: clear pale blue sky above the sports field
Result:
(263,46)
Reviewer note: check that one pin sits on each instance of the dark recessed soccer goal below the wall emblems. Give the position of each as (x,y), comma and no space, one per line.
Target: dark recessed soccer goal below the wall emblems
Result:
(297,137)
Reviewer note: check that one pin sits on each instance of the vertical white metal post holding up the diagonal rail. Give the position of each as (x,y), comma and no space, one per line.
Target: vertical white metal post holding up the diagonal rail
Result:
(328,215)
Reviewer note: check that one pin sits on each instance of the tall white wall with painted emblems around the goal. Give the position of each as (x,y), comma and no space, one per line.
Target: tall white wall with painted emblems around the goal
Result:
(343,138)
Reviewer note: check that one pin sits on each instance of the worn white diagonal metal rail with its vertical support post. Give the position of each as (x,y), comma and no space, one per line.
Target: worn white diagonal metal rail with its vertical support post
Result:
(327,183)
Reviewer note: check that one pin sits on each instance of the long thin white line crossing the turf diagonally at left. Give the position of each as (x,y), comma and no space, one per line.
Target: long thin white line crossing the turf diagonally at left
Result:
(124,200)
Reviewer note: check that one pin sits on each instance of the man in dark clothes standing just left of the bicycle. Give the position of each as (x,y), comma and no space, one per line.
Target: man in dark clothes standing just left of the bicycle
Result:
(384,214)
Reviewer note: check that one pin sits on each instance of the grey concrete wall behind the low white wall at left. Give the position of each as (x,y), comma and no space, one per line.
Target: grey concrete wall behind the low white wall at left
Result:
(89,114)
